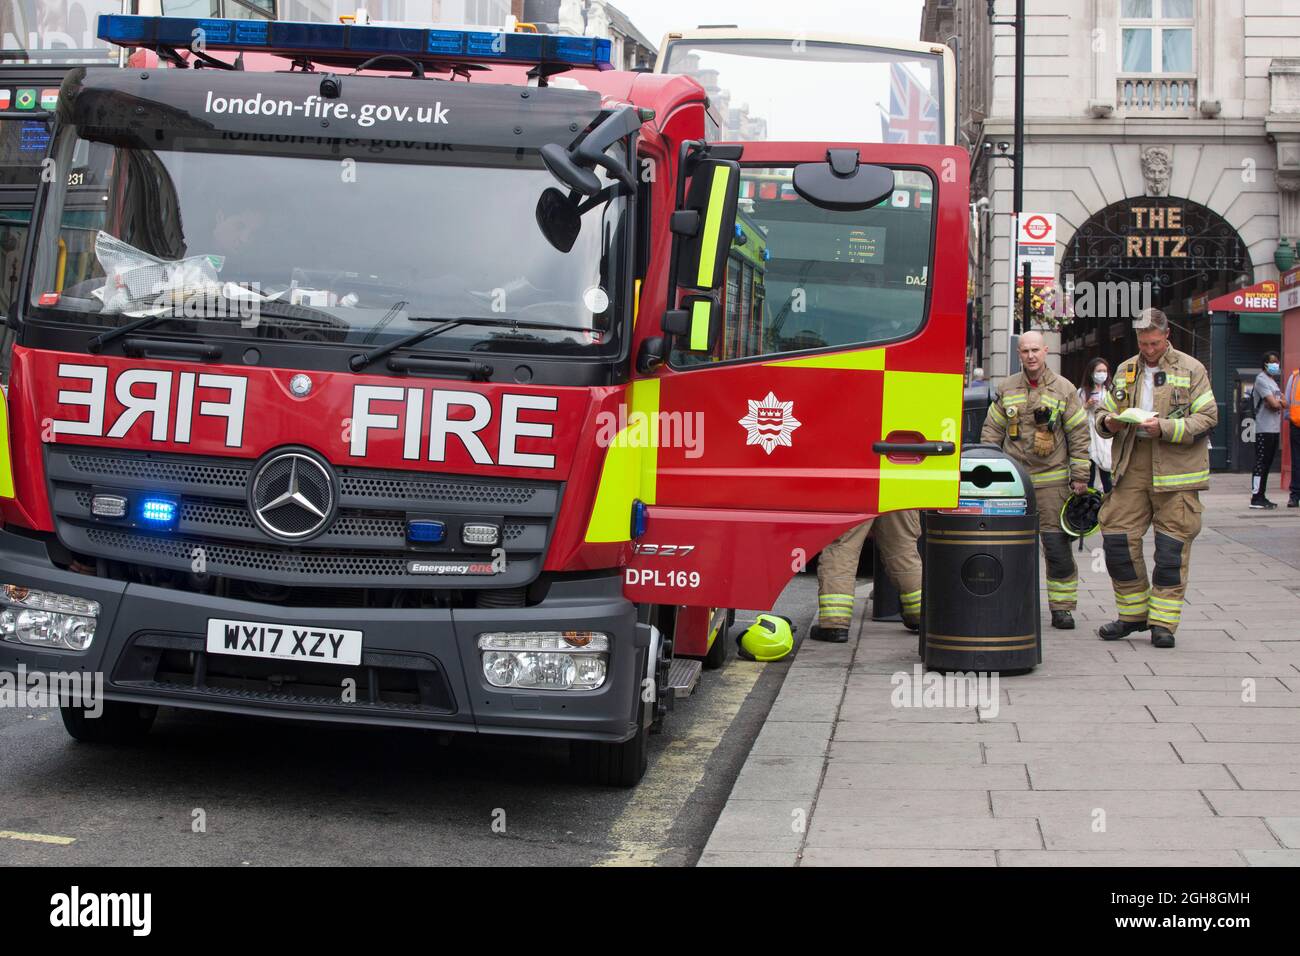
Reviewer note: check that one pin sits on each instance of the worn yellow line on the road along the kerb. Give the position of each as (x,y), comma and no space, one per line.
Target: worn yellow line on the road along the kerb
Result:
(639,834)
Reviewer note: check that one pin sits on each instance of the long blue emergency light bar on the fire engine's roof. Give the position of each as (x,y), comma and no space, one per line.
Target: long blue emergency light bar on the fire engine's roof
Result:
(336,41)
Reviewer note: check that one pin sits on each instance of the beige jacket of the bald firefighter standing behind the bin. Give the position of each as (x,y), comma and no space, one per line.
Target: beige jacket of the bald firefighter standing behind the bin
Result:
(1015,410)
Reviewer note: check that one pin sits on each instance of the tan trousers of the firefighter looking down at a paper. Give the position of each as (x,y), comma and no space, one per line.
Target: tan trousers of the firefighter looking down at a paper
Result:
(1130,509)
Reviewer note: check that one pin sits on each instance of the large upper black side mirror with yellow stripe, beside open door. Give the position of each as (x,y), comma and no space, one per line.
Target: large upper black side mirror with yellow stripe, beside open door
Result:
(707,223)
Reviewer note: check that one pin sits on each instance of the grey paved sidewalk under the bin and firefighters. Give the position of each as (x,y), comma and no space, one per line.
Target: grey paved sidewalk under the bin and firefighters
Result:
(1110,754)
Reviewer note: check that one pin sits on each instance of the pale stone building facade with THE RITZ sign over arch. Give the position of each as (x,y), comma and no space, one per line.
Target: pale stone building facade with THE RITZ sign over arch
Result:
(1164,135)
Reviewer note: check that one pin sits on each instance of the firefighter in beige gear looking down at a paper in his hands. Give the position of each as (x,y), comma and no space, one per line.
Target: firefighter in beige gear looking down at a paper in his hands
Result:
(1160,468)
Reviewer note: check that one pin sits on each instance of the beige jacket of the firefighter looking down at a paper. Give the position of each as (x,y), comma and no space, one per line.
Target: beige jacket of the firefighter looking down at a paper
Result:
(1185,405)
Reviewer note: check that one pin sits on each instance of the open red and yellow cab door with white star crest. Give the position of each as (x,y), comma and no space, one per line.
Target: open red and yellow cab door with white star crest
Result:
(813,351)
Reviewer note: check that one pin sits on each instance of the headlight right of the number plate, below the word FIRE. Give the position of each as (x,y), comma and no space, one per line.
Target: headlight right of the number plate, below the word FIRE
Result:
(545,660)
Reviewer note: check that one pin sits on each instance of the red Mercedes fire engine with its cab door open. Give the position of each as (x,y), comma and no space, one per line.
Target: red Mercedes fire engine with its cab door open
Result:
(389,384)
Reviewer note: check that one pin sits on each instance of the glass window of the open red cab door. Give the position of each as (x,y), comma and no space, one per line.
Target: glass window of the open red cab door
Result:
(805,279)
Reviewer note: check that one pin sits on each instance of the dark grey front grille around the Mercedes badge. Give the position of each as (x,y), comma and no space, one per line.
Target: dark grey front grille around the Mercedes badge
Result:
(365,546)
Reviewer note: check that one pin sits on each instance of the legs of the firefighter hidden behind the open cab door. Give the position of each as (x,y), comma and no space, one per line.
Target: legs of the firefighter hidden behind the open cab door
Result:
(896,533)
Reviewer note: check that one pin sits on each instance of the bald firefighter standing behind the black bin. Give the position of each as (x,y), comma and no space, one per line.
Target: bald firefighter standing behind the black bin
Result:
(1041,422)
